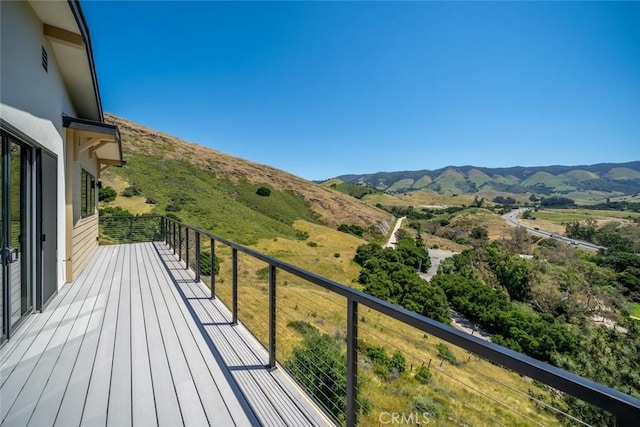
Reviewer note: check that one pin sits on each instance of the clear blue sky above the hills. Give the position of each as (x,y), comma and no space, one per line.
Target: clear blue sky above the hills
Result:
(321,89)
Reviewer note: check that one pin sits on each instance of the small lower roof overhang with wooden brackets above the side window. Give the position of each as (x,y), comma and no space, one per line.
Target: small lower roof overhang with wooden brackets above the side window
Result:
(101,139)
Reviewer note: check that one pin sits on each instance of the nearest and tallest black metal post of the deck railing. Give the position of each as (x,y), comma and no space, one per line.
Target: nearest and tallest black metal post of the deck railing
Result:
(352,363)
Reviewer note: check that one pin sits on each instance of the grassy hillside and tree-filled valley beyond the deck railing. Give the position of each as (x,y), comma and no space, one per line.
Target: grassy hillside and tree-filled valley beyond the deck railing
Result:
(547,289)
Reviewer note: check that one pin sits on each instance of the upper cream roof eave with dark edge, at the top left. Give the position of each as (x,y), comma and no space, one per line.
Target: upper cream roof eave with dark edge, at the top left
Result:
(65,27)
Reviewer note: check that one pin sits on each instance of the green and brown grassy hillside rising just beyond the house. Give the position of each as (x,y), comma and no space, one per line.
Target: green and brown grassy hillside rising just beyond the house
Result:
(216,191)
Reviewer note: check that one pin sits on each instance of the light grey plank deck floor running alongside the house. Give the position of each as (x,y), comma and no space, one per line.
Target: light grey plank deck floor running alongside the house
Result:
(134,341)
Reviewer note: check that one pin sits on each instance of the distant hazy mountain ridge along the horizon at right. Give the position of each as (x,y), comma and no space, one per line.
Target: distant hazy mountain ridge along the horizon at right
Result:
(581,182)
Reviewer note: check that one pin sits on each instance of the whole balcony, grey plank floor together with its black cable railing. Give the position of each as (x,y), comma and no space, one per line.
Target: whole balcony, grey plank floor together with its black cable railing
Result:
(157,333)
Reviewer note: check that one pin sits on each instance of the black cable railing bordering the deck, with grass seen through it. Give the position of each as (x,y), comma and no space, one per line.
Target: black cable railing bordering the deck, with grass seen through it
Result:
(351,343)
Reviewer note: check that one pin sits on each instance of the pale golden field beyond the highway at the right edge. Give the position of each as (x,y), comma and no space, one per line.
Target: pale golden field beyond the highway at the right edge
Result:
(556,220)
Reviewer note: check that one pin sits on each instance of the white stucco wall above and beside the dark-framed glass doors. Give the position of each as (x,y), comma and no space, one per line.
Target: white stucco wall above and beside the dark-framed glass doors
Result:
(33,100)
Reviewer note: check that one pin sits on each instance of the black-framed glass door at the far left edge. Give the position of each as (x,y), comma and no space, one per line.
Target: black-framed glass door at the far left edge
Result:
(16,232)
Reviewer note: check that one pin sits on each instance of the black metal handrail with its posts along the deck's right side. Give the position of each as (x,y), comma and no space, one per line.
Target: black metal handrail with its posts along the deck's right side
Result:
(625,408)
